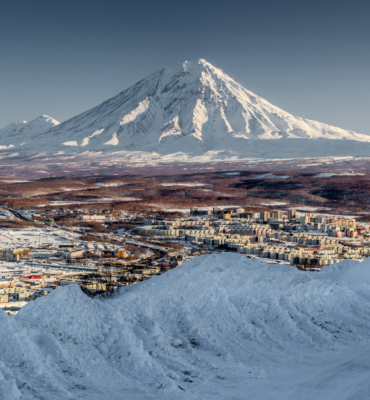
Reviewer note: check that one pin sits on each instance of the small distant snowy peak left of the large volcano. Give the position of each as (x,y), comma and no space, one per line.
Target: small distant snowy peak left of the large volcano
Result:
(20,133)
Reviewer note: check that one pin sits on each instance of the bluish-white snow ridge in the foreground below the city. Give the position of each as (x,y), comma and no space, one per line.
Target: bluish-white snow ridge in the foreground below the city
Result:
(217,327)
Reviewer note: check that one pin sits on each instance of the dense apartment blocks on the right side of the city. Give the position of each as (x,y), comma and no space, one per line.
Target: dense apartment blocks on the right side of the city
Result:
(310,241)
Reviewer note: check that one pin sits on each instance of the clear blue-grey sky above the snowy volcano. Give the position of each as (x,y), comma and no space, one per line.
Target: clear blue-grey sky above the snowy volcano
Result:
(310,58)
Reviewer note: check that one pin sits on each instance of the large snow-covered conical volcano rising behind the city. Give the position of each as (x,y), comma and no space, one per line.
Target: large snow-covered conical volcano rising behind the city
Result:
(193,109)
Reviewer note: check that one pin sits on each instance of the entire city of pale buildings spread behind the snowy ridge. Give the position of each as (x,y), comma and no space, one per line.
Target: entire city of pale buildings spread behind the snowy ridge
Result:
(34,260)
